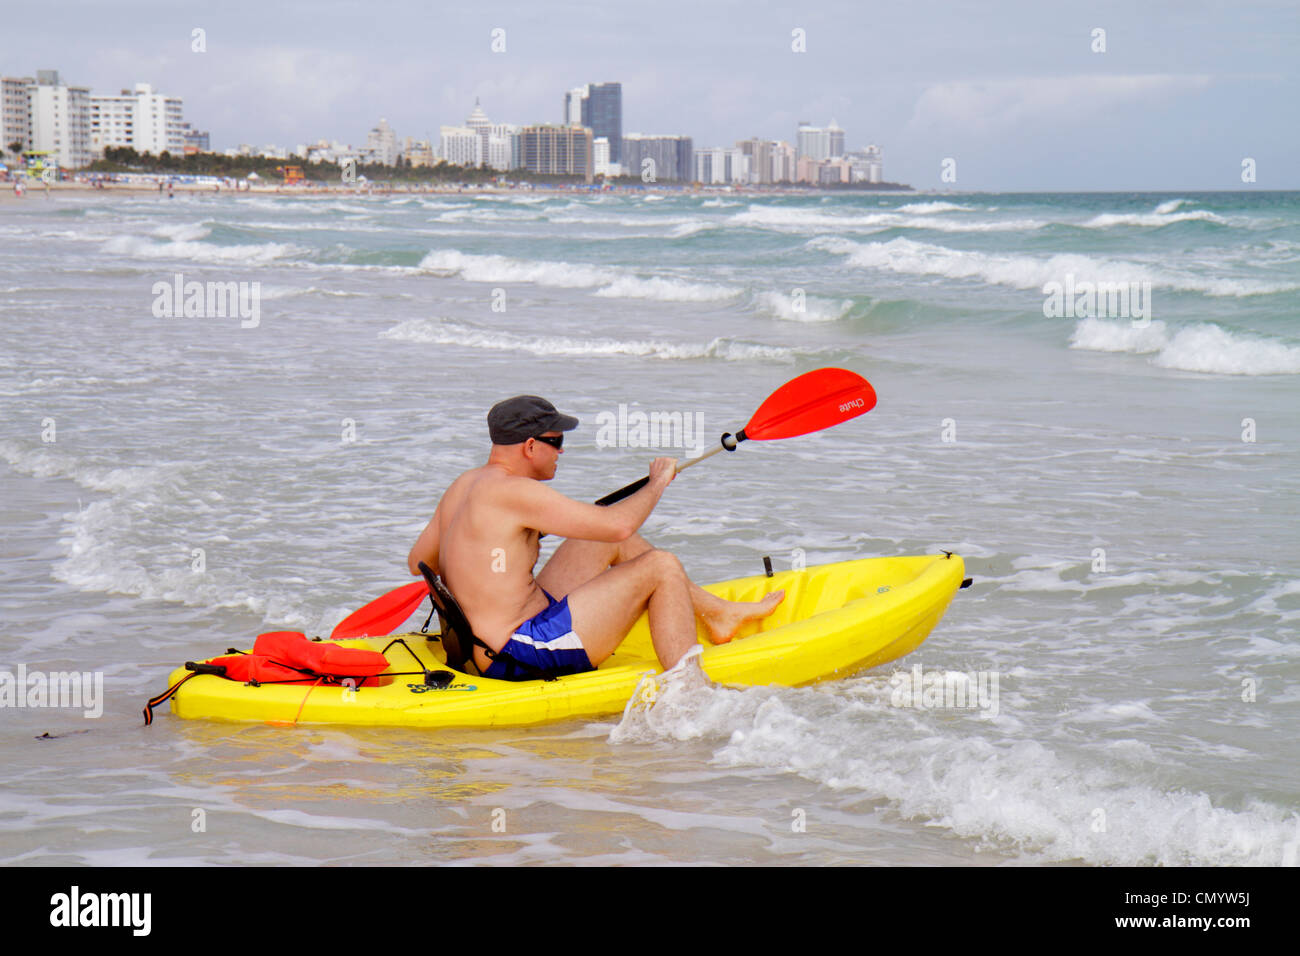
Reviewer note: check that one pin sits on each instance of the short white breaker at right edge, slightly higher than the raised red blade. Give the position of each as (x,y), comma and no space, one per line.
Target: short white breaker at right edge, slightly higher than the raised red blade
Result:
(1203,348)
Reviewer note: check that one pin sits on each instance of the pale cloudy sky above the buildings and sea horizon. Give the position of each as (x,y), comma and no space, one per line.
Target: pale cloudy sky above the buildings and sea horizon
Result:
(1013,92)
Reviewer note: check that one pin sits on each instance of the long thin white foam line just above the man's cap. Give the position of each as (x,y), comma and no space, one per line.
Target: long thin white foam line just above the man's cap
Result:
(441,332)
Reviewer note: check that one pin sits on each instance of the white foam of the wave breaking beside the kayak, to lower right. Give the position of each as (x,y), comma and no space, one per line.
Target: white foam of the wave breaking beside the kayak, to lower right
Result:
(955,772)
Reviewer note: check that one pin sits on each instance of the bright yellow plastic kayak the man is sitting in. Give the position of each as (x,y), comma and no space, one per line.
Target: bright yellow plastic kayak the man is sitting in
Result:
(837,621)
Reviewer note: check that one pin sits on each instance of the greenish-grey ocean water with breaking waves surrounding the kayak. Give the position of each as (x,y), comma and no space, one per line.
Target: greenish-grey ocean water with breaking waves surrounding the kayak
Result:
(1124,491)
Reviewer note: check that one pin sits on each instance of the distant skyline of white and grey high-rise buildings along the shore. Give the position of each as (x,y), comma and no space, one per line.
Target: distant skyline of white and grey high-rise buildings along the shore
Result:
(77,126)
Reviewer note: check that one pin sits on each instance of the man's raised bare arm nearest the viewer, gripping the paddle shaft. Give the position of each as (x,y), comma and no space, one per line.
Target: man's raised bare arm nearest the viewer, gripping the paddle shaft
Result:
(541,508)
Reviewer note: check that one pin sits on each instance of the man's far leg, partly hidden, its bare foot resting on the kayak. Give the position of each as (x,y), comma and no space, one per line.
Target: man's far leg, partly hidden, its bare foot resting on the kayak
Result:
(578,563)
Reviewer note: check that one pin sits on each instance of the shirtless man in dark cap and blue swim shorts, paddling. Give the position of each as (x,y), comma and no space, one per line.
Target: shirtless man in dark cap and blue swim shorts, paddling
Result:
(484,540)
